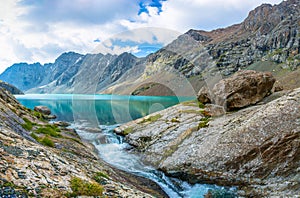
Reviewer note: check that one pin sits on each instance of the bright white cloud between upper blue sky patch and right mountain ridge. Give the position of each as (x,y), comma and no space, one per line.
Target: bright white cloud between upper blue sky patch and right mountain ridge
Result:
(182,15)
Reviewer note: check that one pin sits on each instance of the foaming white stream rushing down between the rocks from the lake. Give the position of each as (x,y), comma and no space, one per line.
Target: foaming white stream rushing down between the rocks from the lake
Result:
(113,150)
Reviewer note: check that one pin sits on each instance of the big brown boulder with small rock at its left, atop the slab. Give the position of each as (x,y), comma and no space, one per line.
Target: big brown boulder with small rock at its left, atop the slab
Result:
(242,89)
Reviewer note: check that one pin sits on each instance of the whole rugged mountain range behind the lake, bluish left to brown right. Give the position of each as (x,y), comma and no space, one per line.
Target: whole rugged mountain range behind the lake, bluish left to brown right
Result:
(267,40)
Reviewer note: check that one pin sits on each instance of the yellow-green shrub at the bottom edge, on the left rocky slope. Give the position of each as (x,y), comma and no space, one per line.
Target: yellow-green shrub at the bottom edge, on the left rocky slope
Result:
(80,187)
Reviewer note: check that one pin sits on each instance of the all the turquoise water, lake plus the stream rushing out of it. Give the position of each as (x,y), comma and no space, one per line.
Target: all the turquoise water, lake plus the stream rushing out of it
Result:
(107,112)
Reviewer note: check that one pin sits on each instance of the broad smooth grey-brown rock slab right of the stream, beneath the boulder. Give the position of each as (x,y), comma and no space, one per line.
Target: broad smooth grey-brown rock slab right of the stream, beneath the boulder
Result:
(256,149)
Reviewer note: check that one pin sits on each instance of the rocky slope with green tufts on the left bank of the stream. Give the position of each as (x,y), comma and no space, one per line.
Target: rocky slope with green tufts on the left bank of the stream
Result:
(38,159)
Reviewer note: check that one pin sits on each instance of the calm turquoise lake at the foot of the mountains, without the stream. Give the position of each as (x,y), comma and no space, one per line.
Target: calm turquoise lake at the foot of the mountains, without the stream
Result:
(100,109)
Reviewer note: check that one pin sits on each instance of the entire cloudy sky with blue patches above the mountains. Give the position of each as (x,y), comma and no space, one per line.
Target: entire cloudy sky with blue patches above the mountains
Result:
(40,30)
